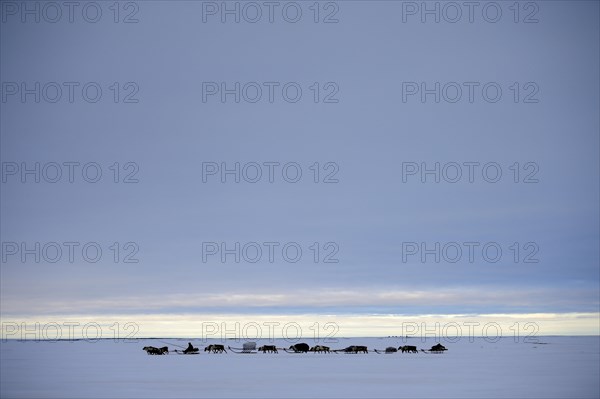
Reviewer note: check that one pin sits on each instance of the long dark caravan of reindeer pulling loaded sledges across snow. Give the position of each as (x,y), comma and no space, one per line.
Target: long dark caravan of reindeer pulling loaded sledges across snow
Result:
(250,347)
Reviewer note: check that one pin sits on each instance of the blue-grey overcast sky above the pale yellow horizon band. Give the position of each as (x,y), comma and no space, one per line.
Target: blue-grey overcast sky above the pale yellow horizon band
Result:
(366,135)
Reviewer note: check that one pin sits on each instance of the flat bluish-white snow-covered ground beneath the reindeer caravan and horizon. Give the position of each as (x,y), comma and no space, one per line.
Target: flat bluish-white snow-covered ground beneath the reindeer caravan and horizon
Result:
(557,367)
